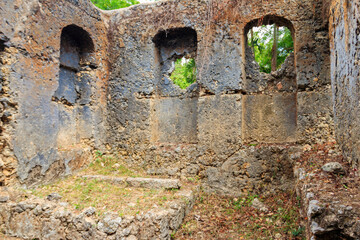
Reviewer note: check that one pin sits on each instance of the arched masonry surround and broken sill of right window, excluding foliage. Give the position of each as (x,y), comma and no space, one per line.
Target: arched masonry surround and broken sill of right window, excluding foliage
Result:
(281,80)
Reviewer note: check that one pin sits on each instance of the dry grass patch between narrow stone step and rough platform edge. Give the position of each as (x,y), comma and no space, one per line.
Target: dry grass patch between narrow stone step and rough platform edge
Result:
(82,193)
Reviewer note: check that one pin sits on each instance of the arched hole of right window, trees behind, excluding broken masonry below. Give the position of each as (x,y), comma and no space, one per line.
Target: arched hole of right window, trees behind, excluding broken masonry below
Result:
(271,42)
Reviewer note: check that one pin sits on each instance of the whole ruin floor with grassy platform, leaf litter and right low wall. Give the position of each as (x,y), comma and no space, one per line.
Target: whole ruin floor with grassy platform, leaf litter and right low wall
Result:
(107,200)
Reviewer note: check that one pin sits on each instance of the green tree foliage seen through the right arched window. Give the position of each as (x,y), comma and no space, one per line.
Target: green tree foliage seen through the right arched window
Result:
(261,40)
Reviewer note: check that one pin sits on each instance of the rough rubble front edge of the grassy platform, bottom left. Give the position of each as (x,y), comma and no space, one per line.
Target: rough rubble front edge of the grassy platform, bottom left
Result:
(42,219)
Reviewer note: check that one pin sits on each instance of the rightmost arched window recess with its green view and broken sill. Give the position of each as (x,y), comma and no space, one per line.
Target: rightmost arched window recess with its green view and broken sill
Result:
(269,53)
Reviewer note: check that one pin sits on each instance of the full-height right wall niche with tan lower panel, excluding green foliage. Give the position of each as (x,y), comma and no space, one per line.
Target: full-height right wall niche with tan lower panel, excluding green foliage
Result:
(270,105)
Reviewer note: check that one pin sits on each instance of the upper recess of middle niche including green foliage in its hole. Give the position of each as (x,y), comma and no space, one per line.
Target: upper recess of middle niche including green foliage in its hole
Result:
(177,56)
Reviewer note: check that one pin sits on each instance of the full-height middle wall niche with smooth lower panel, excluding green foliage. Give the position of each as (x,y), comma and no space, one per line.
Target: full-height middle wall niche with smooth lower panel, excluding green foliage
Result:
(174,115)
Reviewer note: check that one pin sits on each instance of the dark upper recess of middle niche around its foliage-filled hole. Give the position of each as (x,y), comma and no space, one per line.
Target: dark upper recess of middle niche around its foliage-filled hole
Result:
(174,44)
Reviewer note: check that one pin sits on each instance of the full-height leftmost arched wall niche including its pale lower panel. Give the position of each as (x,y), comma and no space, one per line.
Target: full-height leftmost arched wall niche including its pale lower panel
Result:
(74,89)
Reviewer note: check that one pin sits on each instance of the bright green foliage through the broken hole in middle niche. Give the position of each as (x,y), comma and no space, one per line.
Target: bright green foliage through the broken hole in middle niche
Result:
(185,72)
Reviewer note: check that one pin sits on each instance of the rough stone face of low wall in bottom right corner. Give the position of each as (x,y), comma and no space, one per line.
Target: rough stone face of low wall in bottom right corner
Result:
(325,213)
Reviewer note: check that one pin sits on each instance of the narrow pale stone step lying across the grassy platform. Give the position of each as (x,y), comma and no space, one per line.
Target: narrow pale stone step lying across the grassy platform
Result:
(151,183)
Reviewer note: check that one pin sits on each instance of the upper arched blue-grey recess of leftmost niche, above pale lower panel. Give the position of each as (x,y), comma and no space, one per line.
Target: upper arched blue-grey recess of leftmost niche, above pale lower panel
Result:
(76,60)
